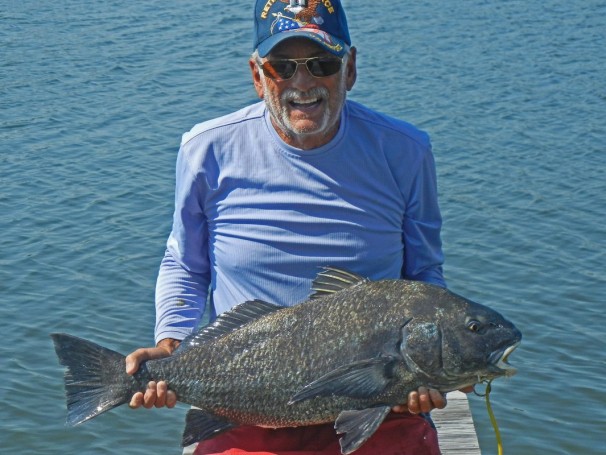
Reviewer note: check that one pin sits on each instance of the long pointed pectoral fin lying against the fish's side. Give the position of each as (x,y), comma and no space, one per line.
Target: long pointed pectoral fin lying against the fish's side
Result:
(361,379)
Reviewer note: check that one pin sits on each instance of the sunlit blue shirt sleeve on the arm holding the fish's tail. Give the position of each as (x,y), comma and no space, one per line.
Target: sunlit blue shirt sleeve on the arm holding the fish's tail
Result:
(184,276)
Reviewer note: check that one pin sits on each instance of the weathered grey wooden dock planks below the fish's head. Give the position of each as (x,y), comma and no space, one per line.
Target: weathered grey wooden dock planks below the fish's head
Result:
(456,432)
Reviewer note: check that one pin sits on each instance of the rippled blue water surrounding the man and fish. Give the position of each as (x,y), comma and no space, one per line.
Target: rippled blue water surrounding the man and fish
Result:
(95,95)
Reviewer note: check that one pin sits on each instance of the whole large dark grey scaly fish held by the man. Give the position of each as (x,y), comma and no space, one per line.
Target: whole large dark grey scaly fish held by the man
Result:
(346,355)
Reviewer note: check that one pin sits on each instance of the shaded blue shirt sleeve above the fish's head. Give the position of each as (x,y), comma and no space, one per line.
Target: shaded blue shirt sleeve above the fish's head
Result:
(423,256)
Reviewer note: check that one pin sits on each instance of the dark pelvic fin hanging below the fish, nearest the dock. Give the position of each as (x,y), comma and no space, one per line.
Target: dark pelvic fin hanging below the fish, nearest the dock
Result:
(358,426)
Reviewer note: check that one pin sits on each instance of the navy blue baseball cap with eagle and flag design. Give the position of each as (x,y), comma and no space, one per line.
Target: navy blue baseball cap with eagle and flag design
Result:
(321,21)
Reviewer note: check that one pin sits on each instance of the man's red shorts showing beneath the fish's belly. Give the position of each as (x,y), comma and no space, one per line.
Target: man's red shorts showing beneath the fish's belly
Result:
(399,434)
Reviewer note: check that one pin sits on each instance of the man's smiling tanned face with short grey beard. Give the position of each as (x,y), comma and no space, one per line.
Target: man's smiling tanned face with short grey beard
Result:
(305,110)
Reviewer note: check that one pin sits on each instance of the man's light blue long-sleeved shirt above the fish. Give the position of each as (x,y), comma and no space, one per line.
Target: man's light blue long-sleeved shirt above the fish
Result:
(256,218)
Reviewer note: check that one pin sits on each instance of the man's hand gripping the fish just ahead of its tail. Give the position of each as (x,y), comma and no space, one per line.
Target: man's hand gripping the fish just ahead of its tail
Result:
(157,394)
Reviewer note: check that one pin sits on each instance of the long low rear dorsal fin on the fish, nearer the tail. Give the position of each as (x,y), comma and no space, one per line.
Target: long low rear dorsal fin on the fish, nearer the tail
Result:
(227,322)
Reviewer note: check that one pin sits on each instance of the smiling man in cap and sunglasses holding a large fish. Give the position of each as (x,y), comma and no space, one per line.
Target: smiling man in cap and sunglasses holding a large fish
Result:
(303,179)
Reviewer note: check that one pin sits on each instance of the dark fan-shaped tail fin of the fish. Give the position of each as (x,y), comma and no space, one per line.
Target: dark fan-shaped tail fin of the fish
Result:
(95,380)
